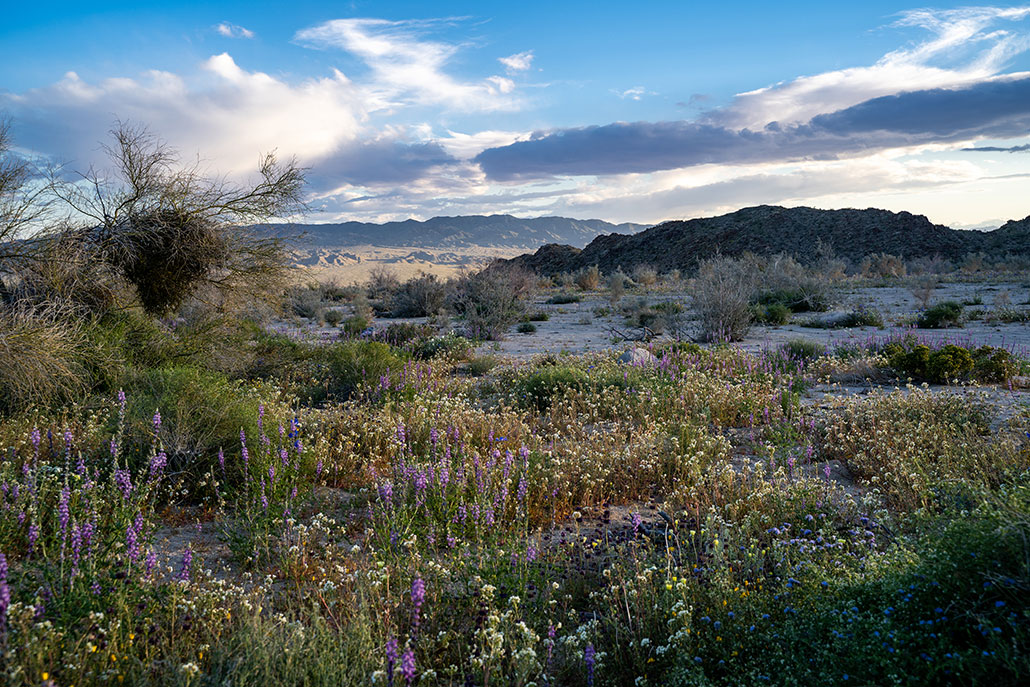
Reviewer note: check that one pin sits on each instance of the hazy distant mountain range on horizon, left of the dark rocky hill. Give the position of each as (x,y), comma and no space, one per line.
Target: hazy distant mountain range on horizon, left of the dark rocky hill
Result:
(496,231)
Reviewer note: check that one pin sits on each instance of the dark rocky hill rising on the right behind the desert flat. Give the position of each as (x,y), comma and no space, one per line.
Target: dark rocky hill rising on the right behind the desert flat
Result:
(768,230)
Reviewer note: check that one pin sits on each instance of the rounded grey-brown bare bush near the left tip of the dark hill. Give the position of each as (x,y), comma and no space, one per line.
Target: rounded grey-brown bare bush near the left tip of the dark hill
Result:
(493,300)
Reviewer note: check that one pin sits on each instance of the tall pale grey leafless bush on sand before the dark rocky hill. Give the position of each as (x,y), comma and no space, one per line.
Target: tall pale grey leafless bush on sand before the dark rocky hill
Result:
(722,297)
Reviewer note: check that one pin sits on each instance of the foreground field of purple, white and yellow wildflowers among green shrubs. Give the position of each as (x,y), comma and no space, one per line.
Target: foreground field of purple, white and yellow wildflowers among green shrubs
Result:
(358,512)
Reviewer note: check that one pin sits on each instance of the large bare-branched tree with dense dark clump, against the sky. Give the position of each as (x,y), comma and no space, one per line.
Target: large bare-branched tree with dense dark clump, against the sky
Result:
(166,229)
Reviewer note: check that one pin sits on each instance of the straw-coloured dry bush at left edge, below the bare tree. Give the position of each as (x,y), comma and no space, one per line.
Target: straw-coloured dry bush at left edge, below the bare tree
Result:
(41,350)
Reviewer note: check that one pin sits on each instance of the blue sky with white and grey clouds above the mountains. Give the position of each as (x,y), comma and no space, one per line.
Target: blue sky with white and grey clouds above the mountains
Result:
(622,112)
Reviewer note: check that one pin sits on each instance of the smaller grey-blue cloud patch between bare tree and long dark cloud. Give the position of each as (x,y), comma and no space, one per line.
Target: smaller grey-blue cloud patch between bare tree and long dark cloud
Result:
(379,162)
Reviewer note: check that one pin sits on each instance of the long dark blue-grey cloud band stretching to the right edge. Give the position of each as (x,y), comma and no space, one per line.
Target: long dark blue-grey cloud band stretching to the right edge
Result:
(1000,109)
